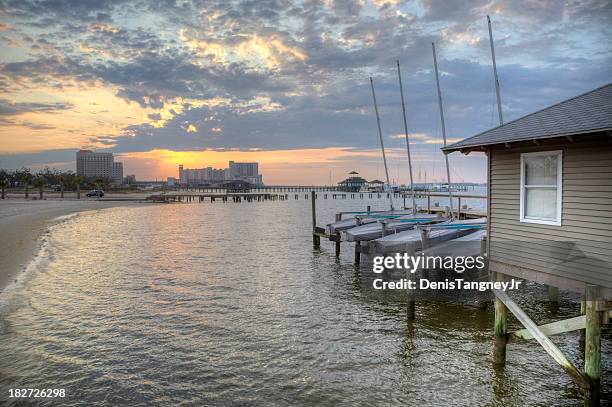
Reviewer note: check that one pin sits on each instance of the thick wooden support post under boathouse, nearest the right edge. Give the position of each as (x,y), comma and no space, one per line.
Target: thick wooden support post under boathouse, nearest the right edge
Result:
(592,353)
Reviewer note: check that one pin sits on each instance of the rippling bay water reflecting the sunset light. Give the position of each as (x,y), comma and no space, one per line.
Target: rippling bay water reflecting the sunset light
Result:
(228,304)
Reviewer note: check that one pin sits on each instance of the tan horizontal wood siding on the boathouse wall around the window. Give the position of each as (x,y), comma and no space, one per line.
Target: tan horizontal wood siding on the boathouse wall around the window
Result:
(579,249)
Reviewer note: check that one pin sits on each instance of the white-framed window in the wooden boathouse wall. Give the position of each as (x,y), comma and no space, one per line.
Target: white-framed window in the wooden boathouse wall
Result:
(541,187)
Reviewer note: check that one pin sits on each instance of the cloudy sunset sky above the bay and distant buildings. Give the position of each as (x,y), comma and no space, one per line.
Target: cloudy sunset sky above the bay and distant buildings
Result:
(285,83)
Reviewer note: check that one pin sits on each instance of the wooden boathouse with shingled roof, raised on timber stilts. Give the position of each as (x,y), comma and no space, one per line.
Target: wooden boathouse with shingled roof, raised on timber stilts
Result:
(550,211)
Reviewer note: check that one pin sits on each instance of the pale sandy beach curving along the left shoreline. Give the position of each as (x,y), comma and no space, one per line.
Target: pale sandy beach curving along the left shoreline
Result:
(23,222)
